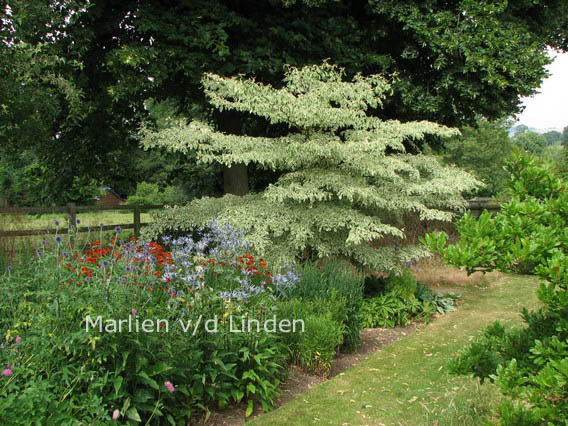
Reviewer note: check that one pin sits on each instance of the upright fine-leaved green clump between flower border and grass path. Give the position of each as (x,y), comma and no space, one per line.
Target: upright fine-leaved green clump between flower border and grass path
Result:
(337,288)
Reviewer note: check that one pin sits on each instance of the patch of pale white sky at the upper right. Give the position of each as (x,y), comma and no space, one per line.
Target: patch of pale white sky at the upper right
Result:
(549,108)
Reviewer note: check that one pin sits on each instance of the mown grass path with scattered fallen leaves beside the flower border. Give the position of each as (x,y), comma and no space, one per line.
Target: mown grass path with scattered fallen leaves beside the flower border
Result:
(406,383)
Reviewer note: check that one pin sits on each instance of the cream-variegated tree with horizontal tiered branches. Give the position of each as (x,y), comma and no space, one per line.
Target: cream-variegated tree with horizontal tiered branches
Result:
(346,177)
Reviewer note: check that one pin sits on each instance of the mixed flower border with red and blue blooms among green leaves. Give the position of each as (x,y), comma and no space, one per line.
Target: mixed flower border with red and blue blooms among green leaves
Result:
(56,367)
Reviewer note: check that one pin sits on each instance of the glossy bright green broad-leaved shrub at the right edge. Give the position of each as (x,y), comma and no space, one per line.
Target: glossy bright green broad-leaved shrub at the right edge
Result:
(528,235)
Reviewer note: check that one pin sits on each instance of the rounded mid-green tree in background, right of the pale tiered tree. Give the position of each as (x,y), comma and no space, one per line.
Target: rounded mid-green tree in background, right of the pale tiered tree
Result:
(483,151)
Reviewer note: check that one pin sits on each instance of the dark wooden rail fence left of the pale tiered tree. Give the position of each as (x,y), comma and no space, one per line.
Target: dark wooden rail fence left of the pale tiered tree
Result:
(71,210)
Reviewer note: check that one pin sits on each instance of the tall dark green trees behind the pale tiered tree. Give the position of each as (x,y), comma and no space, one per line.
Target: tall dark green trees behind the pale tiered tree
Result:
(79,77)
